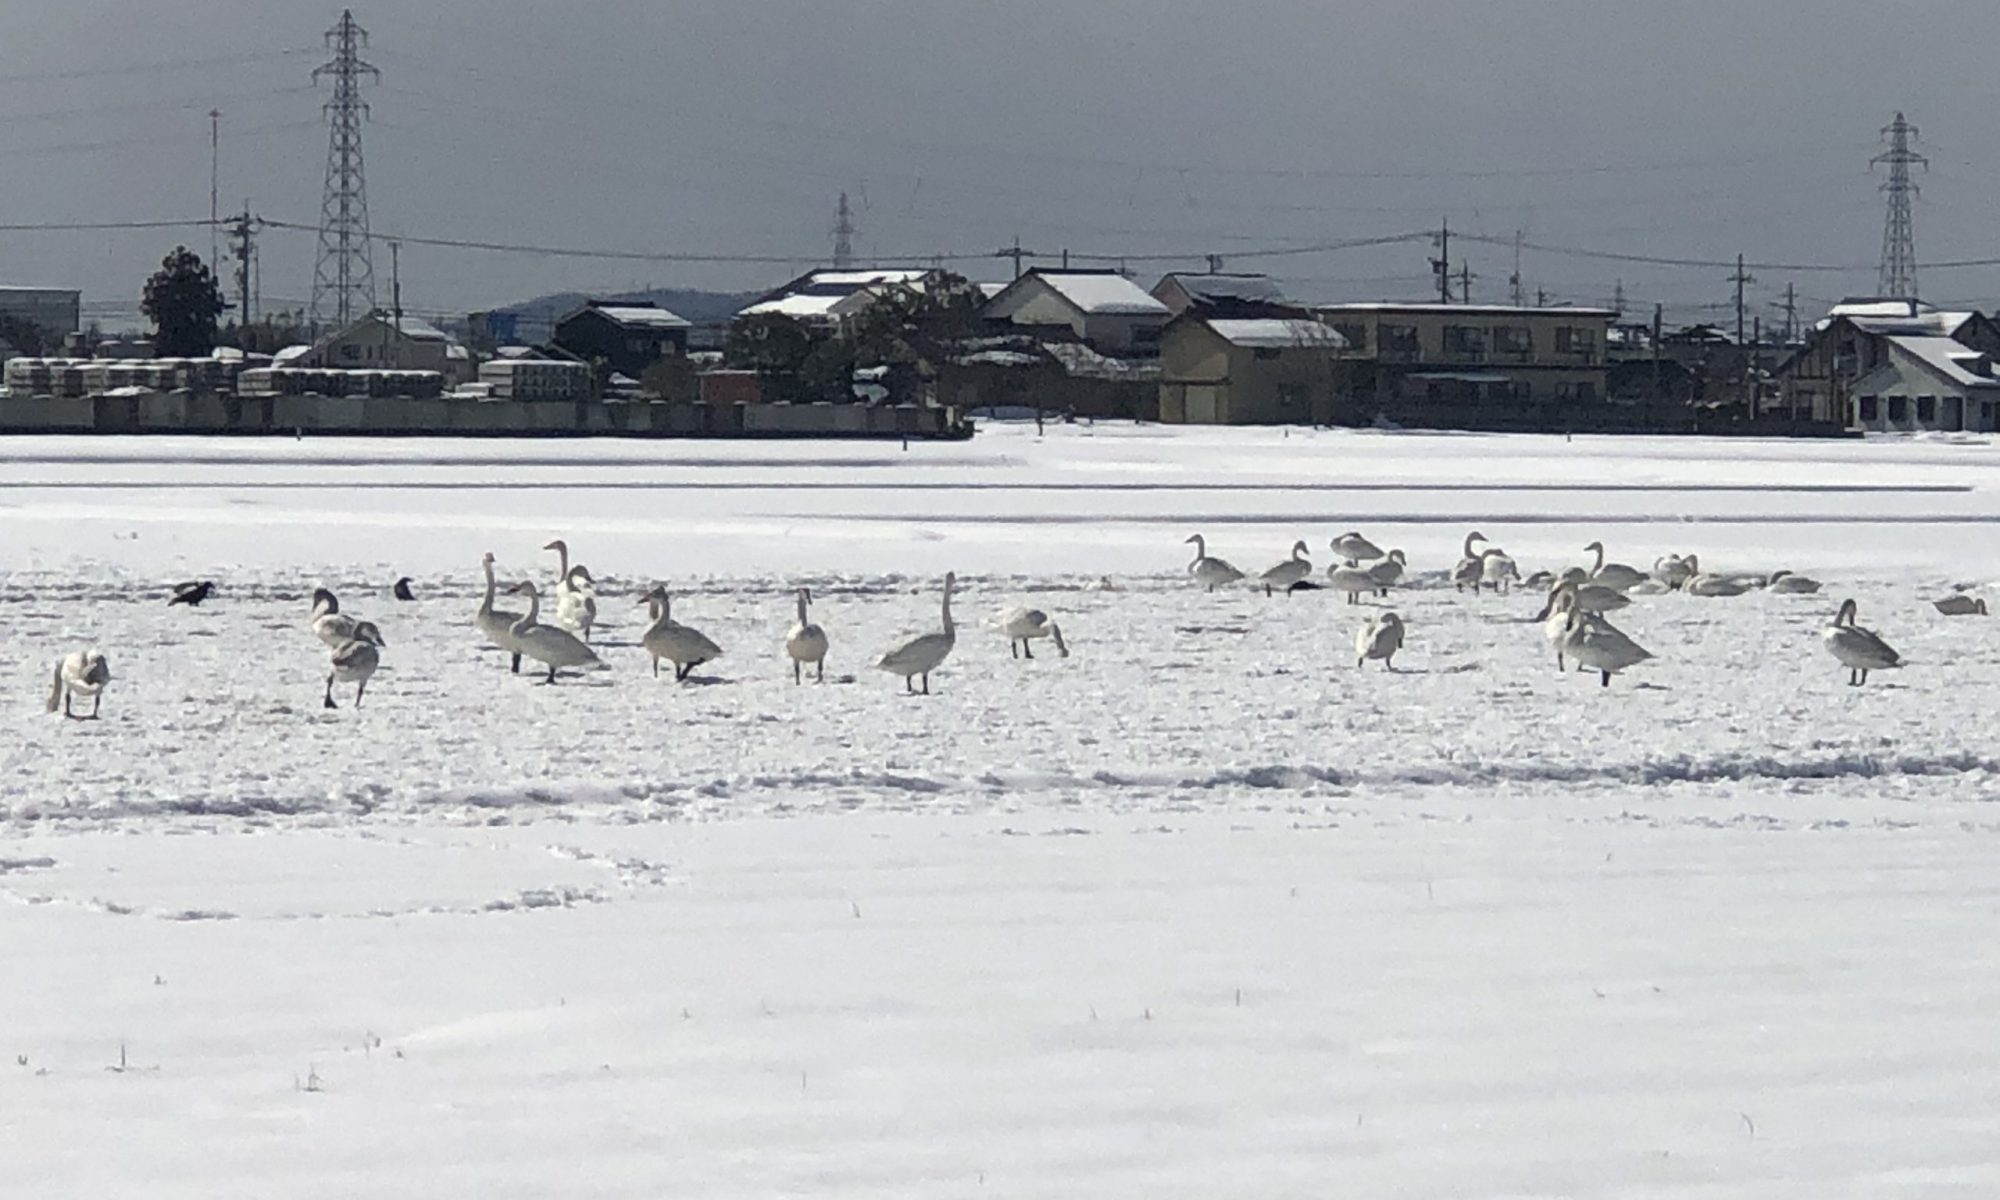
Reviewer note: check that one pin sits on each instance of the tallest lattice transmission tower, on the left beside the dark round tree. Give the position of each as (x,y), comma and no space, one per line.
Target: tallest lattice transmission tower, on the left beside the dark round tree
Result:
(343,275)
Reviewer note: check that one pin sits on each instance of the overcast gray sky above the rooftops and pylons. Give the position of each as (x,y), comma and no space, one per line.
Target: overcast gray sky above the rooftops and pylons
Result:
(1691,129)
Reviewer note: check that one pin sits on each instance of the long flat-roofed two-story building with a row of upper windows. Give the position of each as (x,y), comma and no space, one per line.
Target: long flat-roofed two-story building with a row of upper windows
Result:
(1471,359)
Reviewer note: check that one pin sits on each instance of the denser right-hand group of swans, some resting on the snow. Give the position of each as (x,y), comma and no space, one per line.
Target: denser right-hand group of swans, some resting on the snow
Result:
(1575,617)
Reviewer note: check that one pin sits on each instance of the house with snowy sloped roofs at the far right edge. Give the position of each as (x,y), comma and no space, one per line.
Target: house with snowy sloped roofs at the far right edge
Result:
(1897,365)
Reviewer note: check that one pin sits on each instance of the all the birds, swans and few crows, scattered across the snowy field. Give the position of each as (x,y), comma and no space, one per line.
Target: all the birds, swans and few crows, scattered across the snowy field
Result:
(1575,619)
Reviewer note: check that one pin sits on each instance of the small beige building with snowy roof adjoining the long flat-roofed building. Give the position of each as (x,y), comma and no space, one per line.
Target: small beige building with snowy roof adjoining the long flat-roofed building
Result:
(1251,371)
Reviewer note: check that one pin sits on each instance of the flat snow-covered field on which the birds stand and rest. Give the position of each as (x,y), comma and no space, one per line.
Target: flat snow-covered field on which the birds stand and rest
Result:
(1201,911)
